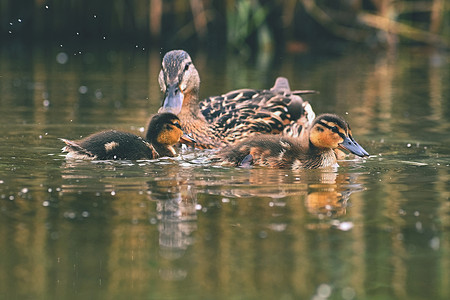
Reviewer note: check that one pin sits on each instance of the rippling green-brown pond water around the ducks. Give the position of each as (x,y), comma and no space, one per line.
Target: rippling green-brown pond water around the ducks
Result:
(180,228)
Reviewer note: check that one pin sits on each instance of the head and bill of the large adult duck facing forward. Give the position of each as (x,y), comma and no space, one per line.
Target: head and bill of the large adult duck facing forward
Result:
(178,80)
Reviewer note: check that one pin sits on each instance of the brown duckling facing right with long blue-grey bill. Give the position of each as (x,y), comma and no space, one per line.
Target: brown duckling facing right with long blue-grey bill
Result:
(313,149)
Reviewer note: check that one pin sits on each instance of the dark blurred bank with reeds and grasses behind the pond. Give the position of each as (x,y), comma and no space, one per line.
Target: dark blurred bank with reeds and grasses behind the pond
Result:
(241,25)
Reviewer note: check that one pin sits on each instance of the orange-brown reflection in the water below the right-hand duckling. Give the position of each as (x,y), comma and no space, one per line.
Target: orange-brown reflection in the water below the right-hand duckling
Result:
(325,192)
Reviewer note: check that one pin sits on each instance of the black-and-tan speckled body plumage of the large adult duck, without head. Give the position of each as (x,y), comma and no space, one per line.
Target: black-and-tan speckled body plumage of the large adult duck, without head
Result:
(244,112)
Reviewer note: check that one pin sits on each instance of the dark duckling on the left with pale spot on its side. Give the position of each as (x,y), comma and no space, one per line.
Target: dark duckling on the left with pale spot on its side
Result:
(164,131)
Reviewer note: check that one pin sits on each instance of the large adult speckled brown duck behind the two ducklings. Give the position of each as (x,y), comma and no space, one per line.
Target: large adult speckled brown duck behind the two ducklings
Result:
(220,120)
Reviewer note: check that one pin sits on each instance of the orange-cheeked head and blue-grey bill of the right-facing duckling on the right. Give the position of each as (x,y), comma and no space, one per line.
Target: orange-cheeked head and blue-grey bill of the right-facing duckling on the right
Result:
(330,131)
